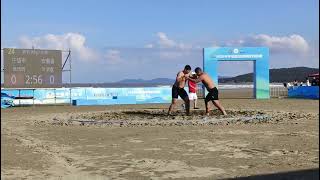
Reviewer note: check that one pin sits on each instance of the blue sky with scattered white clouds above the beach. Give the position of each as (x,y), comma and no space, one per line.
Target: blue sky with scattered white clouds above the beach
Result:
(111,40)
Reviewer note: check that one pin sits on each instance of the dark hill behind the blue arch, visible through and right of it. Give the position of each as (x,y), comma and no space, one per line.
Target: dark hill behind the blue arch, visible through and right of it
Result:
(276,75)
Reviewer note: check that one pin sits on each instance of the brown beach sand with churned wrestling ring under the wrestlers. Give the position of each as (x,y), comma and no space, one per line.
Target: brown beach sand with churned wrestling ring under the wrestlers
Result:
(141,142)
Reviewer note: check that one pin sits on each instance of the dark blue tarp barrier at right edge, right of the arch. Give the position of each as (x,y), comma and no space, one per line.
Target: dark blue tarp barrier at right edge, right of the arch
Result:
(306,92)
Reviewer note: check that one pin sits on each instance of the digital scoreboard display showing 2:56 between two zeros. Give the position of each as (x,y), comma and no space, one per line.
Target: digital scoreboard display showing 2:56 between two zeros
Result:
(32,68)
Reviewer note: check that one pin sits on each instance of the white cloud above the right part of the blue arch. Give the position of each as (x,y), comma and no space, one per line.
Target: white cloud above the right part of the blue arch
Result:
(277,44)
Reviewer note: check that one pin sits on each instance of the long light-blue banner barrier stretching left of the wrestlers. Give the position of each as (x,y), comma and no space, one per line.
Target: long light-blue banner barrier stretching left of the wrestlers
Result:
(62,95)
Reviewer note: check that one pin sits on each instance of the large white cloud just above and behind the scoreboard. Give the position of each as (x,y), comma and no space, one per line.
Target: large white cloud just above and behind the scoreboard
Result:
(73,41)
